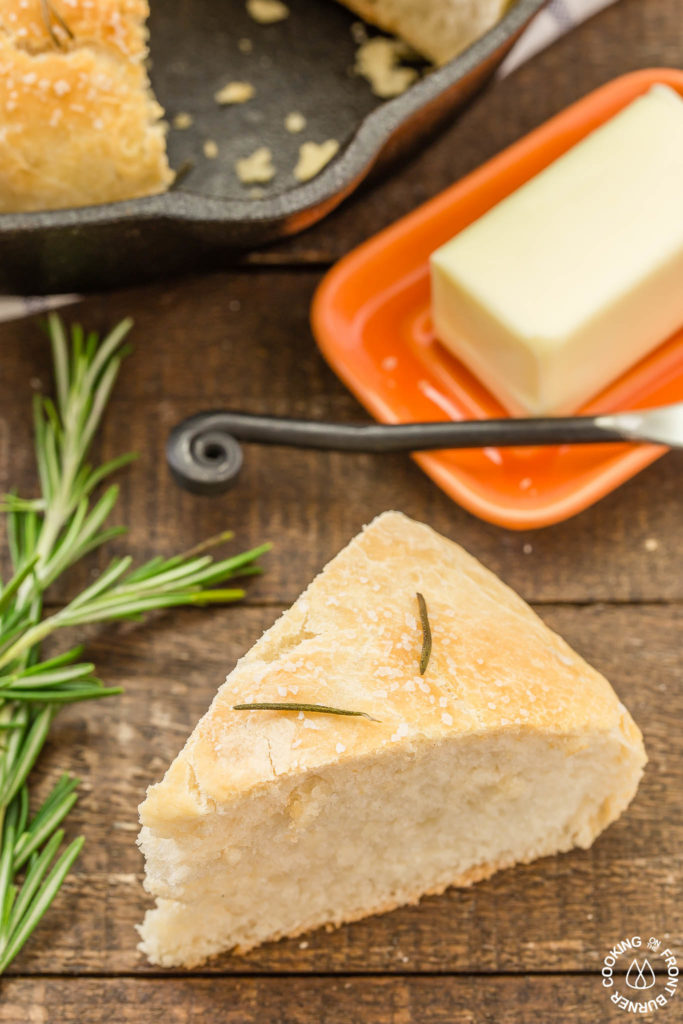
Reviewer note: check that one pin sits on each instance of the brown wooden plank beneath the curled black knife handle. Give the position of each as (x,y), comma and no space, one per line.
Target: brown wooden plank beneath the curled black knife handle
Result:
(196,350)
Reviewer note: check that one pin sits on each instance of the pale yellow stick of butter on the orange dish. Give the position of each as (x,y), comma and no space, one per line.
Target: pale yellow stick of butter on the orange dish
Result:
(571,280)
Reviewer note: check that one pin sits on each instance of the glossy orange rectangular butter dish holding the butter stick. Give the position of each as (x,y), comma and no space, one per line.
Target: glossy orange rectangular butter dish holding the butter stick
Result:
(373,323)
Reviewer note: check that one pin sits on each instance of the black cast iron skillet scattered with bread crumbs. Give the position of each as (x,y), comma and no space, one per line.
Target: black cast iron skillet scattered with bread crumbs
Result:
(302,64)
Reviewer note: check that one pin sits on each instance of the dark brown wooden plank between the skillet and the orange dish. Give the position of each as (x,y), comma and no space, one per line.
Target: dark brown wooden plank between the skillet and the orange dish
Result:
(629,35)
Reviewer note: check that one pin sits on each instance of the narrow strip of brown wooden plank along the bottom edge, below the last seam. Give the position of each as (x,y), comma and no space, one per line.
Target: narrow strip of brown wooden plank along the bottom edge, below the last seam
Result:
(443,1000)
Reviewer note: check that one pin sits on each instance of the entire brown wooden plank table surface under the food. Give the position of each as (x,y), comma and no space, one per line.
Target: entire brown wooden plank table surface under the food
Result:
(526,947)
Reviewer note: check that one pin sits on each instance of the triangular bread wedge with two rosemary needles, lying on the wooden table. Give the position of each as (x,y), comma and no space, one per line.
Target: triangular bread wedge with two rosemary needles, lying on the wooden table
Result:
(508,748)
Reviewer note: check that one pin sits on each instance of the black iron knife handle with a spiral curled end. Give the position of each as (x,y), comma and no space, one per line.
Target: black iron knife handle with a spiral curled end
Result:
(205,456)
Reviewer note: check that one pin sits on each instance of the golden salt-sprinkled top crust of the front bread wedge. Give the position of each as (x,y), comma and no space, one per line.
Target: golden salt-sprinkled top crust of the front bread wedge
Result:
(354,641)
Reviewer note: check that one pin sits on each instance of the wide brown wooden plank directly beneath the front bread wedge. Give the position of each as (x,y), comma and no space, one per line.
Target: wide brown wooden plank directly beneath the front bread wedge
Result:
(556,915)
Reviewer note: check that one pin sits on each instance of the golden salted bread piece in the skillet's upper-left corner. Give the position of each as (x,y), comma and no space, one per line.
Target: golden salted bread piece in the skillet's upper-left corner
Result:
(78,122)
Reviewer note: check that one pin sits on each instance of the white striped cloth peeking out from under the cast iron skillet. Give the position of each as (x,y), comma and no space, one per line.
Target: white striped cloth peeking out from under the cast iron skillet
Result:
(560,17)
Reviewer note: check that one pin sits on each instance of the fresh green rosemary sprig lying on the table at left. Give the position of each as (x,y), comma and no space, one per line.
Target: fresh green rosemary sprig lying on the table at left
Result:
(47,536)
